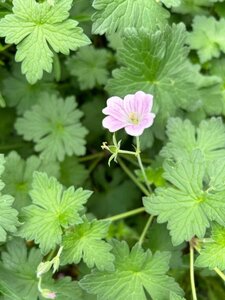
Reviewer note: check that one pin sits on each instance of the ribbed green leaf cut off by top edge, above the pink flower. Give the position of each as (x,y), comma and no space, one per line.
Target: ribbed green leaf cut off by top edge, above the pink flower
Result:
(112,16)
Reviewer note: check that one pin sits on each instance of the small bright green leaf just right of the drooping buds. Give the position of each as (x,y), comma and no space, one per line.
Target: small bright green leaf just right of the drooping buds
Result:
(85,241)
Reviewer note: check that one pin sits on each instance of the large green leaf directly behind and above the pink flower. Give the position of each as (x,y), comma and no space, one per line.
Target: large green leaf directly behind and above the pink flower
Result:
(156,64)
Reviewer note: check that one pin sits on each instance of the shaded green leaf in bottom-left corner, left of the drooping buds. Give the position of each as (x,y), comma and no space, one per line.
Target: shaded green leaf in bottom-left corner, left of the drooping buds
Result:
(18,269)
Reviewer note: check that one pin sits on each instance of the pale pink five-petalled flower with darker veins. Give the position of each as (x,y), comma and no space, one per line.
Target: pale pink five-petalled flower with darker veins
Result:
(133,113)
